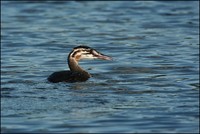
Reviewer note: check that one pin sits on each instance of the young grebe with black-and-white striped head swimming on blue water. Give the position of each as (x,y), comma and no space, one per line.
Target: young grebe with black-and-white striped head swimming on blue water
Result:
(76,73)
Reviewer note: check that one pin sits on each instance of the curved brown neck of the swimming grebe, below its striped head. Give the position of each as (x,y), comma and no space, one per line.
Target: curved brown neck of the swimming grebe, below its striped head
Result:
(73,65)
